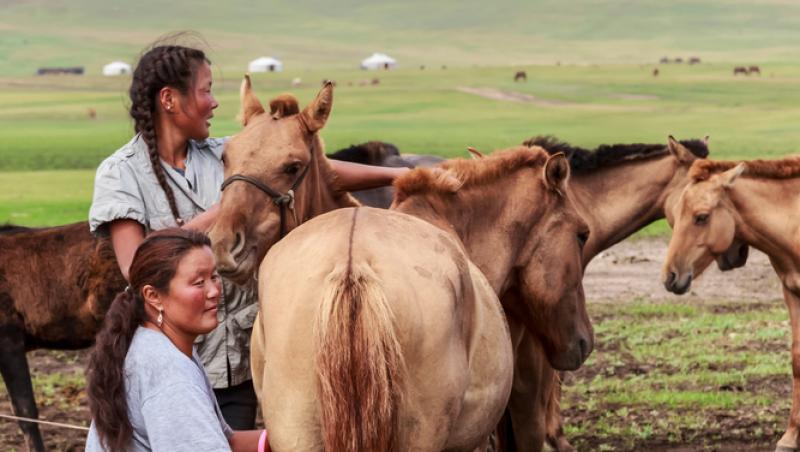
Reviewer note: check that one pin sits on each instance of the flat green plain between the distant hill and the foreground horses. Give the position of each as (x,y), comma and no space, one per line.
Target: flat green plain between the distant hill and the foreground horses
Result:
(45,125)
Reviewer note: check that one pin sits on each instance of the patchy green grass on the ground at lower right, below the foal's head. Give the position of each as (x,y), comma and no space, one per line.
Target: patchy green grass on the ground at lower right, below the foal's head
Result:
(679,373)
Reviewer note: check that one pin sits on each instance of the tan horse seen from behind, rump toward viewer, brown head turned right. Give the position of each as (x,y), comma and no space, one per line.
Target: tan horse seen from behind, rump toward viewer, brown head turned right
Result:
(520,191)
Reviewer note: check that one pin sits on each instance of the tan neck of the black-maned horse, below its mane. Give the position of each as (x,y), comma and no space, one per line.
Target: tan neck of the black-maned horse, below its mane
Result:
(617,201)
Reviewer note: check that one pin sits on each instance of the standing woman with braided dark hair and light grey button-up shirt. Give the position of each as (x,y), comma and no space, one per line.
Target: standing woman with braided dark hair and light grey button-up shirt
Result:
(169,174)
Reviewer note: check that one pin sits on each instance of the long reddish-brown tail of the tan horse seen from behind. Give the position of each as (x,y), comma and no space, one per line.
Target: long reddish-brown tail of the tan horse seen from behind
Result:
(359,363)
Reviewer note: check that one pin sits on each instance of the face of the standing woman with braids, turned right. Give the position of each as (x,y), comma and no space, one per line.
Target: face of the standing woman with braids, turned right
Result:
(197,106)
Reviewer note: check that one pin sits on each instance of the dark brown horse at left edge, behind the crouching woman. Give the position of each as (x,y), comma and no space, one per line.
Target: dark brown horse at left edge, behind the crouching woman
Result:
(56,284)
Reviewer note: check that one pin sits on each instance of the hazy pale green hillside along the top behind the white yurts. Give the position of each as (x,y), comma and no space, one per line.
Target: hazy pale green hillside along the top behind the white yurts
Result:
(319,33)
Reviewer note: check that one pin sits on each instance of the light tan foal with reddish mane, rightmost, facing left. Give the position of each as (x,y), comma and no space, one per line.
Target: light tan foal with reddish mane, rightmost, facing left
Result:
(754,202)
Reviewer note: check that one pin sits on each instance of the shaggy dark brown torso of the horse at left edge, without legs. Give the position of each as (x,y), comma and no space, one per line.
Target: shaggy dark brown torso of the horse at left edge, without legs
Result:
(57,282)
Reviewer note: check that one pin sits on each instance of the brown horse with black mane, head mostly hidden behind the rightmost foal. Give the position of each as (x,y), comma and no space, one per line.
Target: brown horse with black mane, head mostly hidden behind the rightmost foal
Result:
(646,178)
